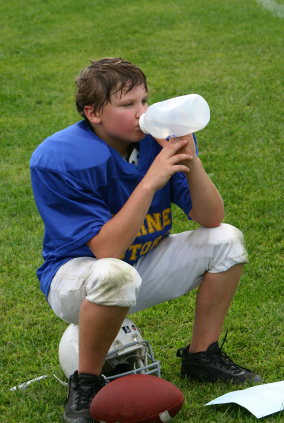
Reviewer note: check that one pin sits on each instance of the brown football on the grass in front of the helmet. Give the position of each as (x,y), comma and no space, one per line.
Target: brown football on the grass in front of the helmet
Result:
(137,398)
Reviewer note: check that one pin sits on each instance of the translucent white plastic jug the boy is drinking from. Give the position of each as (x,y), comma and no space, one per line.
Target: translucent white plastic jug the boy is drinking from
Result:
(176,117)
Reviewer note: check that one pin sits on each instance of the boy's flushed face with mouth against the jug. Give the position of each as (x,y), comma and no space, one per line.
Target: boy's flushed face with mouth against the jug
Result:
(118,123)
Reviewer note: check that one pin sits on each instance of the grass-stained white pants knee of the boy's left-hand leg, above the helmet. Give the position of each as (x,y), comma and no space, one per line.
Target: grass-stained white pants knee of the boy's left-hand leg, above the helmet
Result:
(116,283)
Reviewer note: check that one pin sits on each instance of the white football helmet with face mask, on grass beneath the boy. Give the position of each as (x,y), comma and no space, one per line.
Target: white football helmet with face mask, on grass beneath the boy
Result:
(128,354)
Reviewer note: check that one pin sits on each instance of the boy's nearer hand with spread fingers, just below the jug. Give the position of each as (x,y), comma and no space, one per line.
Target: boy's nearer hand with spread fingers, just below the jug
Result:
(167,163)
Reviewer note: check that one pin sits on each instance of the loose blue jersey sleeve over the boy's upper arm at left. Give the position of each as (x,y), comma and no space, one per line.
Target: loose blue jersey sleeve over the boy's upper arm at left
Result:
(72,214)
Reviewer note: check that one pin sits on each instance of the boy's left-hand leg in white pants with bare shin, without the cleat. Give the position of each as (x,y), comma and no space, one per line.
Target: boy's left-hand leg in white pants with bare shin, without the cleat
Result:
(96,294)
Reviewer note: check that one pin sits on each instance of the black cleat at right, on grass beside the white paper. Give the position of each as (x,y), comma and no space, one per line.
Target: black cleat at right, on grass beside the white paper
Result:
(213,365)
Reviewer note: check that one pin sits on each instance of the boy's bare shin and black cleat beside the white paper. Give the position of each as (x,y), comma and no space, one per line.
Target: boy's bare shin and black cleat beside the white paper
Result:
(203,359)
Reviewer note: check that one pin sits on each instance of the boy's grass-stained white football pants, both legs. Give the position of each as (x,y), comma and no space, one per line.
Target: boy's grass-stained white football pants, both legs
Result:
(173,268)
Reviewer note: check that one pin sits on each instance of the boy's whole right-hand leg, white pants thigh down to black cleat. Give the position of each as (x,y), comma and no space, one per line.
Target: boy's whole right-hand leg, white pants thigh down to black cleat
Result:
(211,258)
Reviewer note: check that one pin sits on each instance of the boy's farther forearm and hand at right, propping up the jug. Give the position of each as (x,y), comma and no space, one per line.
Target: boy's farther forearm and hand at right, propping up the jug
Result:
(207,204)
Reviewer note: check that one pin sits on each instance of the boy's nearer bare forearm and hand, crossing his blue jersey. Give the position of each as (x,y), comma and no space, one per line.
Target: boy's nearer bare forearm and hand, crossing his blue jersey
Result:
(116,236)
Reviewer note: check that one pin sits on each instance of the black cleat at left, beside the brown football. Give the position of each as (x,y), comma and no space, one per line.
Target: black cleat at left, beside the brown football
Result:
(81,390)
